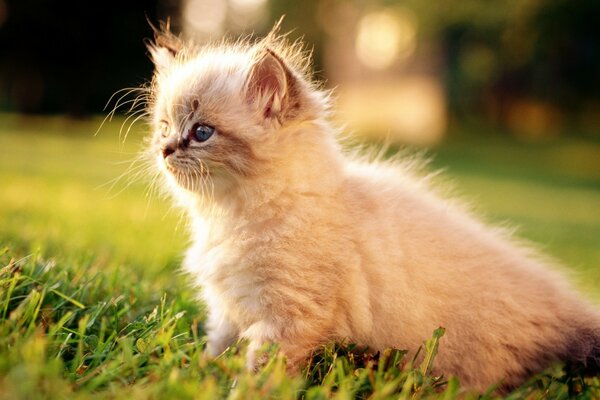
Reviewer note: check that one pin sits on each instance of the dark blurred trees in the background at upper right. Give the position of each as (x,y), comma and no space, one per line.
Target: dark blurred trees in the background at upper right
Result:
(495,53)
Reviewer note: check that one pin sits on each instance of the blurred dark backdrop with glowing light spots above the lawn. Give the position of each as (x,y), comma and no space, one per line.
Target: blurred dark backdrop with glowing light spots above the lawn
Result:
(529,66)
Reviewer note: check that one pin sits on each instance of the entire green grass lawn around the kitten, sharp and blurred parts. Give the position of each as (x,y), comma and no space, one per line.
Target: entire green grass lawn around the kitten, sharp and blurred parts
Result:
(91,305)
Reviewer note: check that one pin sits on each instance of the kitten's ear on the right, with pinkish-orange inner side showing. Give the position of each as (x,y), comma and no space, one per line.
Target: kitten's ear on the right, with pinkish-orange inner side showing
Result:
(270,86)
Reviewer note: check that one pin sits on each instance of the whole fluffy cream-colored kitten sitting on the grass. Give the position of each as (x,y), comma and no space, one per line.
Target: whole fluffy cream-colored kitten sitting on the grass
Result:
(297,243)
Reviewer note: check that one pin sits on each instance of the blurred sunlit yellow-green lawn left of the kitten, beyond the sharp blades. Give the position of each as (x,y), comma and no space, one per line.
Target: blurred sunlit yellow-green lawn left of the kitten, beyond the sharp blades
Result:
(62,190)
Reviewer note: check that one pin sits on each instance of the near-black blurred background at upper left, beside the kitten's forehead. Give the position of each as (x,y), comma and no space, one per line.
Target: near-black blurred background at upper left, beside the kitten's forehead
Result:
(71,56)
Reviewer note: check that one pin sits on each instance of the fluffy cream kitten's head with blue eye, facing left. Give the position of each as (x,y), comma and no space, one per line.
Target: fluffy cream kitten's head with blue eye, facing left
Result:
(220,113)
